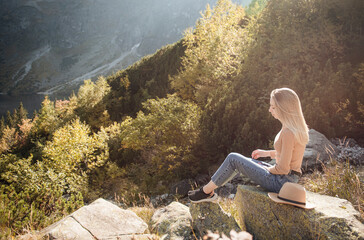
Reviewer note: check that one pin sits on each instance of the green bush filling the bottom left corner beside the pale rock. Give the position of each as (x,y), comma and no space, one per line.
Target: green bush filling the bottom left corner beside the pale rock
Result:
(31,196)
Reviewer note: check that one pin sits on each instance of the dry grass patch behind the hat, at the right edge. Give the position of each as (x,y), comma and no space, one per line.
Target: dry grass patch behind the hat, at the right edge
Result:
(338,179)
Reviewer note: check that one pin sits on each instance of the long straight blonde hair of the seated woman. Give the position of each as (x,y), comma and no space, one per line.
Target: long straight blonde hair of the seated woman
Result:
(290,114)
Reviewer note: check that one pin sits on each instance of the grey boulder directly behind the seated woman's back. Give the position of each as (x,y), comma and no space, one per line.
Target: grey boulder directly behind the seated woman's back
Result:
(318,151)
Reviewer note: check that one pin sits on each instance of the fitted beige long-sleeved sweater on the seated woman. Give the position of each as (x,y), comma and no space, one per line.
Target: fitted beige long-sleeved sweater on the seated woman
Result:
(289,153)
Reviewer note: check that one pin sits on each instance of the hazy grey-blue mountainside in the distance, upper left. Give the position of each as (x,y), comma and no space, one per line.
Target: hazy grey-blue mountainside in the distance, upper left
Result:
(50,47)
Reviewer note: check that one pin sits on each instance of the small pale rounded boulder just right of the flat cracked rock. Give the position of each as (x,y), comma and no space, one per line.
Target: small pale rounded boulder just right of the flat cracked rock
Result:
(173,222)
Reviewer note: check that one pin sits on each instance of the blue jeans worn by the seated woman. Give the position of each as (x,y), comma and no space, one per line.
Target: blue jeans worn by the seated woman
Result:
(236,163)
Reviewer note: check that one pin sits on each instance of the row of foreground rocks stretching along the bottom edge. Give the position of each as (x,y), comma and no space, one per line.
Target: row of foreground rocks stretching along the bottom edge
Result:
(258,217)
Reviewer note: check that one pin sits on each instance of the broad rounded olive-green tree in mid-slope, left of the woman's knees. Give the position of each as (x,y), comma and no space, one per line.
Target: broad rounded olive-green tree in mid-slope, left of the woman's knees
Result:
(165,135)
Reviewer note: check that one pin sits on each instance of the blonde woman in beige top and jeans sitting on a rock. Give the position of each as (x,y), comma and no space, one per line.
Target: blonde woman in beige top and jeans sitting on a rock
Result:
(289,147)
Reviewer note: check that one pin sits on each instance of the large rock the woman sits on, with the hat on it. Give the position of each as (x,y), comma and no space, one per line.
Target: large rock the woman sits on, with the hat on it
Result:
(333,218)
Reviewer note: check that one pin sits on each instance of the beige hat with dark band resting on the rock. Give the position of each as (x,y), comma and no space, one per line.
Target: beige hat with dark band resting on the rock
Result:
(293,194)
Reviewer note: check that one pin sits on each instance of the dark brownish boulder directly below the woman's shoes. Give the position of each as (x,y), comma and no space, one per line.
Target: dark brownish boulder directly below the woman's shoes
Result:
(210,216)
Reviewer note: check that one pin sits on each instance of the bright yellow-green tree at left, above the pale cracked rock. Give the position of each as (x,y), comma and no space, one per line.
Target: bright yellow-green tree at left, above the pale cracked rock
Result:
(74,152)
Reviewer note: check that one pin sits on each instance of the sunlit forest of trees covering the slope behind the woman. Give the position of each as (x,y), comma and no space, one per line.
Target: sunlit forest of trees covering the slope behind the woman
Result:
(174,113)
